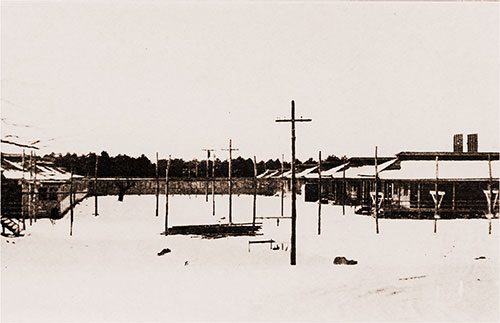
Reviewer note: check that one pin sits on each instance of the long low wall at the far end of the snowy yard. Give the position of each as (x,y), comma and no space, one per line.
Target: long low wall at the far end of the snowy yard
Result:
(112,186)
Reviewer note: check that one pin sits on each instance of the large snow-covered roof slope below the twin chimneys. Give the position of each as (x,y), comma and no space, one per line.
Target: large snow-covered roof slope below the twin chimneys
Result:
(447,169)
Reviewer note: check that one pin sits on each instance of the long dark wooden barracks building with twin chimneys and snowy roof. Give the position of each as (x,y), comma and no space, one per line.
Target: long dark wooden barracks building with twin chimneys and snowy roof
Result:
(467,183)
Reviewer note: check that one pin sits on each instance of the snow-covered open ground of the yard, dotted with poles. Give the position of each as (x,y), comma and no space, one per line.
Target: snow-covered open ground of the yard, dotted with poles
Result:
(109,269)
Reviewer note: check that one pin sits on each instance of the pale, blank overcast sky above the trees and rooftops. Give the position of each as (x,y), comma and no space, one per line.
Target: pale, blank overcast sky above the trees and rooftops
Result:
(176,77)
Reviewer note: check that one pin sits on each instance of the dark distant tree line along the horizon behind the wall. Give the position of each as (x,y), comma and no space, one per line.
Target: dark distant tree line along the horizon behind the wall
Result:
(126,166)
